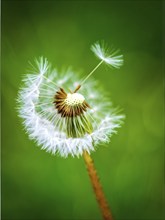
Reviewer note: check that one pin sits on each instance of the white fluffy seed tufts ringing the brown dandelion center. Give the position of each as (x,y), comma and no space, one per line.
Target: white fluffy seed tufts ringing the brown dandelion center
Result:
(45,125)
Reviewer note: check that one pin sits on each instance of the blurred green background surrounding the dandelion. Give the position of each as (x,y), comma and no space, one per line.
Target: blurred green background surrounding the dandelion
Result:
(39,186)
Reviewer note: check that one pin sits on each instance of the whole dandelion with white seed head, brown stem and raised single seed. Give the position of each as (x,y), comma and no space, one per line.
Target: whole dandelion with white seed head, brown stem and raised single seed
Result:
(69,116)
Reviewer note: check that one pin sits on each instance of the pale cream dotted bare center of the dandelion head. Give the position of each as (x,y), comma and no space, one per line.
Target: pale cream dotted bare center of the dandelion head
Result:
(74,99)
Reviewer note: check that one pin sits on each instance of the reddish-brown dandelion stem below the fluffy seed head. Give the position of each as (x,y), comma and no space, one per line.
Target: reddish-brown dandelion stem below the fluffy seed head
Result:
(105,210)
